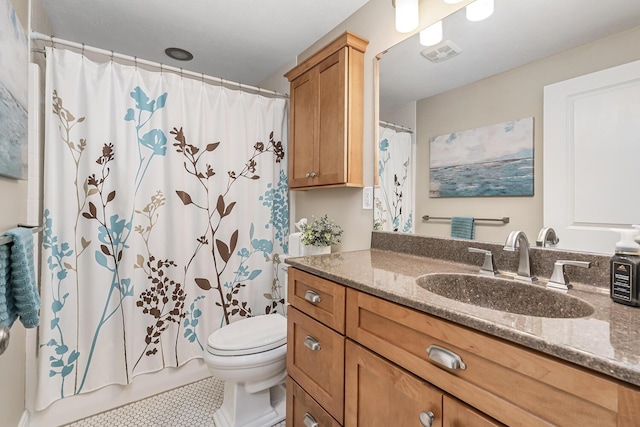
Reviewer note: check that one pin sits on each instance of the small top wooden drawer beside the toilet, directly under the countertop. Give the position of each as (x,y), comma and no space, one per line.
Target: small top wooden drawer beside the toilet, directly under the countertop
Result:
(319,298)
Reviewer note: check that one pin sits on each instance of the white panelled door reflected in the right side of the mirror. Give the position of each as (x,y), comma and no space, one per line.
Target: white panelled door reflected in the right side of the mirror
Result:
(592,157)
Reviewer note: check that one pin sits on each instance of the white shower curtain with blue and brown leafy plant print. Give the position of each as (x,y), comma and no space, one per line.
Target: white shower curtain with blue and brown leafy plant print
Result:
(165,211)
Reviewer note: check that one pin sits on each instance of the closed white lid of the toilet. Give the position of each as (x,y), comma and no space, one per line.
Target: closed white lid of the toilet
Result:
(249,336)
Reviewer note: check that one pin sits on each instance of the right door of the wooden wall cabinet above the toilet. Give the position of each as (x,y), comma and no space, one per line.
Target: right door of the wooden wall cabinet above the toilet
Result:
(331,150)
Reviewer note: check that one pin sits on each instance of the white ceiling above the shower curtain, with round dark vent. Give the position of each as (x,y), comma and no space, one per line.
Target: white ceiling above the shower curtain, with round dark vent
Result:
(240,40)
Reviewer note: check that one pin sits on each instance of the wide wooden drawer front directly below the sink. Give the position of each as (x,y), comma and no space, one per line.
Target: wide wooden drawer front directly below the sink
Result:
(514,385)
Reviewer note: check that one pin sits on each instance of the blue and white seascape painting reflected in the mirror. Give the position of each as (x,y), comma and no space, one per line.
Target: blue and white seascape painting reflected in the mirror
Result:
(491,161)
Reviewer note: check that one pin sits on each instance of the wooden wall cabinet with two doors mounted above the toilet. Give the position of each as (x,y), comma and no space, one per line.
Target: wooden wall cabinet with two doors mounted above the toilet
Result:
(326,116)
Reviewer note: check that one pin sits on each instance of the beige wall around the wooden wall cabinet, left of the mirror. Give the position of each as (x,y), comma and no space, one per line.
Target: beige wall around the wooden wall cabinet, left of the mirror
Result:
(375,21)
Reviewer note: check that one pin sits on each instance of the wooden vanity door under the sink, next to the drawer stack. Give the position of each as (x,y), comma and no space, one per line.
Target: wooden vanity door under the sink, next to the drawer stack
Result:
(378,393)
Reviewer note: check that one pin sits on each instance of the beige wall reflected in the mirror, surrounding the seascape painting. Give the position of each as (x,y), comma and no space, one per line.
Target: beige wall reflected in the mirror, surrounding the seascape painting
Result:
(521,95)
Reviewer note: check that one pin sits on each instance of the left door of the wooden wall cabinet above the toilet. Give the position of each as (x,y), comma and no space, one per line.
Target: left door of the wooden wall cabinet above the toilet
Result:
(303,129)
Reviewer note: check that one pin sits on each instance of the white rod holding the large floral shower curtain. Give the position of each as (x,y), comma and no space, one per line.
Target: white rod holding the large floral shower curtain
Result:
(81,46)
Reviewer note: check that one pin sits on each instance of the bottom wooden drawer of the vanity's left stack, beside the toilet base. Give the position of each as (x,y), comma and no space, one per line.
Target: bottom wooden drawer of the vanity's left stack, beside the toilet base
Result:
(302,408)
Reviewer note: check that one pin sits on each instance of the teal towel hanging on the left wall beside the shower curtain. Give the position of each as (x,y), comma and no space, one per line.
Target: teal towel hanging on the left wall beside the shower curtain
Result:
(18,289)
